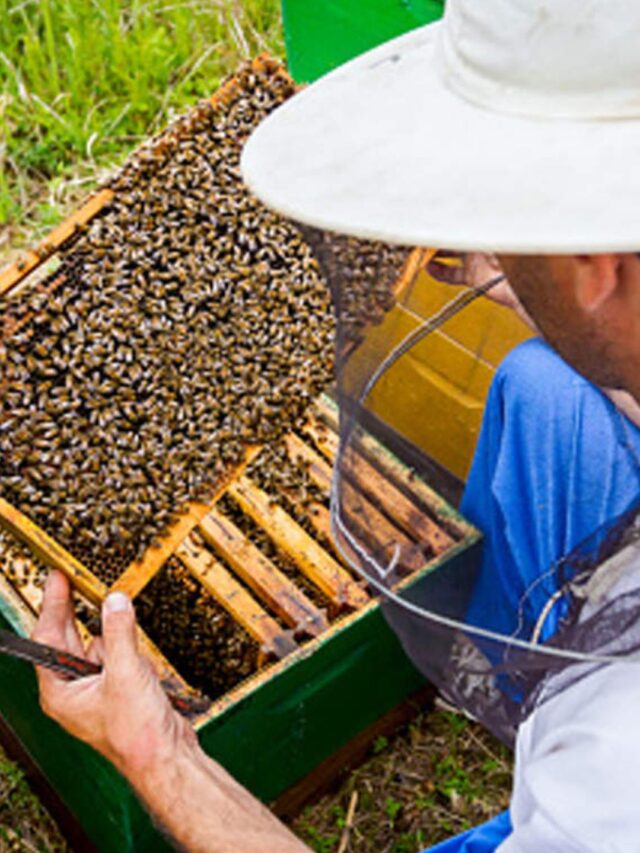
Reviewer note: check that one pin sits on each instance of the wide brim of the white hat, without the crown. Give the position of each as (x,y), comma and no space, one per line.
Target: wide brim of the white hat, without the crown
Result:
(382,149)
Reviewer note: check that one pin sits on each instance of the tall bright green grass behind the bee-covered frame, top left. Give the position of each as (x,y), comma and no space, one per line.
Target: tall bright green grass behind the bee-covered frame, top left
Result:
(82,82)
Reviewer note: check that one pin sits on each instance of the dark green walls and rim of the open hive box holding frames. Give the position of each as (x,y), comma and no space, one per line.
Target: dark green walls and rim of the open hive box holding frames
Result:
(270,732)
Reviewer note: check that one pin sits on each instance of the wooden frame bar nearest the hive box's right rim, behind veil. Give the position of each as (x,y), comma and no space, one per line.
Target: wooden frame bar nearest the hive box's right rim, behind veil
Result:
(380,487)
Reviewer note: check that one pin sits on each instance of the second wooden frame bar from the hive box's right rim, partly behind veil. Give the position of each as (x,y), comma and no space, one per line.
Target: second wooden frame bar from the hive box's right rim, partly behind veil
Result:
(359,510)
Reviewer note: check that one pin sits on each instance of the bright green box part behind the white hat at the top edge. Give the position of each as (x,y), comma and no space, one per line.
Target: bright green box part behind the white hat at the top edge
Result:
(323,34)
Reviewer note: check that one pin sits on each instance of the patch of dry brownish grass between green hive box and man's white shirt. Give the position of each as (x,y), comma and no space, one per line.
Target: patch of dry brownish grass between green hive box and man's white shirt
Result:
(437,777)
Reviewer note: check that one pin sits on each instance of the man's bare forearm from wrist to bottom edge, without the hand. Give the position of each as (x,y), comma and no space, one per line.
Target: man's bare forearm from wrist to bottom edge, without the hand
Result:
(206,811)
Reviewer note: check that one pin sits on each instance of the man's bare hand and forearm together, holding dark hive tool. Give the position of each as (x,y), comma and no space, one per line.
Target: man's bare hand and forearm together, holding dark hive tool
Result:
(125,715)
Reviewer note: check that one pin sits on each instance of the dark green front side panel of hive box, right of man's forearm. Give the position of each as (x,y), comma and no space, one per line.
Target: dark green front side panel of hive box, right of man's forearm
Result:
(276,735)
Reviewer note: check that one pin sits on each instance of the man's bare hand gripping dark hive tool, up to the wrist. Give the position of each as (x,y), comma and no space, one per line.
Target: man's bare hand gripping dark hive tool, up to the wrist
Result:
(122,712)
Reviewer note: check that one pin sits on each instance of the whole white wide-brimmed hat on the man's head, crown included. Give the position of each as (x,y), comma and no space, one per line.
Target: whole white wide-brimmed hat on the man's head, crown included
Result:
(511,125)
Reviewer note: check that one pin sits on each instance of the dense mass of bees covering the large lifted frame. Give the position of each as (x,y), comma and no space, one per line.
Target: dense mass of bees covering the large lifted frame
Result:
(189,322)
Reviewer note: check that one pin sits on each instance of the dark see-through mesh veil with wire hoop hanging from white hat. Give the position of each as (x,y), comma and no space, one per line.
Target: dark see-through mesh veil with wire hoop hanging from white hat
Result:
(495,647)
